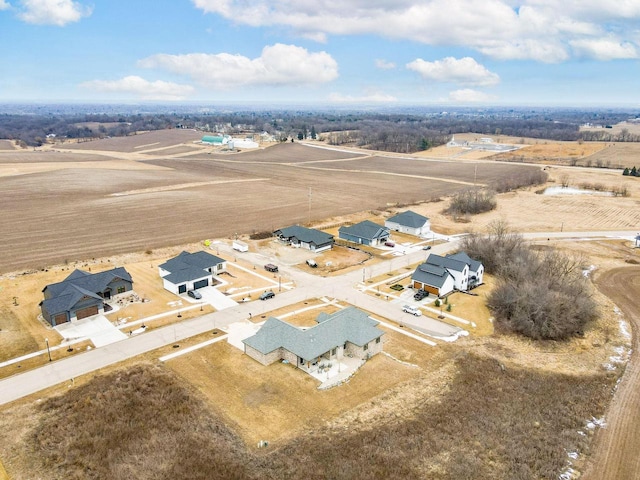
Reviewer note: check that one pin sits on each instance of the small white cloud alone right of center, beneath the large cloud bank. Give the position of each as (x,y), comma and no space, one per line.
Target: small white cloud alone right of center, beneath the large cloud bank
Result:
(464,71)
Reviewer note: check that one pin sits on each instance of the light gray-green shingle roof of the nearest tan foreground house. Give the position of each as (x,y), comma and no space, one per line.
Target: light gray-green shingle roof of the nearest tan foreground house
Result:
(348,325)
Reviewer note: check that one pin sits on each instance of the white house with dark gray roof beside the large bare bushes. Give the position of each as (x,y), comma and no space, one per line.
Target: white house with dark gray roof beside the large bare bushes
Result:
(442,275)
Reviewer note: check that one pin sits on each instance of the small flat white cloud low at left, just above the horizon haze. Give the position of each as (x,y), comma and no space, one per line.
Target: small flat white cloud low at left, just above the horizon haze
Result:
(141,88)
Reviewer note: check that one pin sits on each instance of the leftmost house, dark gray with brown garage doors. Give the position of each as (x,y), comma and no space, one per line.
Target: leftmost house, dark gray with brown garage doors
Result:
(82,294)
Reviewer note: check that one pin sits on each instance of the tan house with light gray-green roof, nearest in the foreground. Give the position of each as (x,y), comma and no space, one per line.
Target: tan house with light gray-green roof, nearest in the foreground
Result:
(348,332)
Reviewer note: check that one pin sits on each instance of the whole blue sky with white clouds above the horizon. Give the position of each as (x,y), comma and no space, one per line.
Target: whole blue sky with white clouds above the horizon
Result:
(322,52)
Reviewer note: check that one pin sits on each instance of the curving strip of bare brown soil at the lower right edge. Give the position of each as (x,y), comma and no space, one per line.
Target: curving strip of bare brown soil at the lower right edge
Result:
(616,448)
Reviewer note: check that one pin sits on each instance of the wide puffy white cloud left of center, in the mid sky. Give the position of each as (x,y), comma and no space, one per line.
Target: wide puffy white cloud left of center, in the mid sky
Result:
(277,65)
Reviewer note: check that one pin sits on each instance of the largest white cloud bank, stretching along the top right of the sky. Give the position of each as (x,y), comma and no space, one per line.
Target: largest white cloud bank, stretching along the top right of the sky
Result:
(541,30)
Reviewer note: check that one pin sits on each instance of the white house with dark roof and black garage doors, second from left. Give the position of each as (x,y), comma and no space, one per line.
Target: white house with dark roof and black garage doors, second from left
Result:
(190,271)
